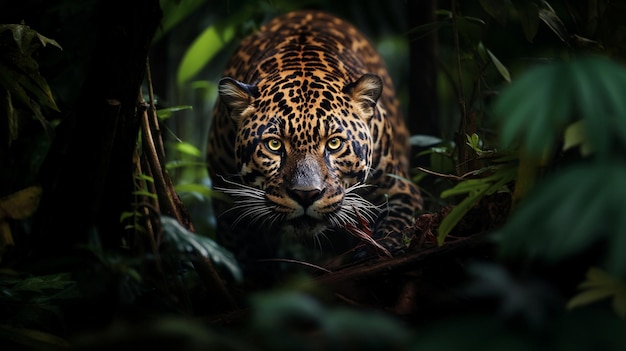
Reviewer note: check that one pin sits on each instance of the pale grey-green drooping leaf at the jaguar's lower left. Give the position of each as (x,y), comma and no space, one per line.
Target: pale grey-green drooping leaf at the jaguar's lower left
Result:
(187,242)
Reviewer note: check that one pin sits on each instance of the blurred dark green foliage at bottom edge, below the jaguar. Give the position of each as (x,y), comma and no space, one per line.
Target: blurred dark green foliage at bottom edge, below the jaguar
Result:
(293,320)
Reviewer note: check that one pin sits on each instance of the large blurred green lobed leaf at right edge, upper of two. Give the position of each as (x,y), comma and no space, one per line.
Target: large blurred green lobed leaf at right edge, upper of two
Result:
(536,108)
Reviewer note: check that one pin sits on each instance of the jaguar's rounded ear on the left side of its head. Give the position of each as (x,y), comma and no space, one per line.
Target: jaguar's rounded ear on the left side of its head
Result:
(237,96)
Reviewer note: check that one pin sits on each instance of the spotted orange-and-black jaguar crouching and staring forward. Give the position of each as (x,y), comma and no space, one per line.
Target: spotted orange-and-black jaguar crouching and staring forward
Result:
(307,140)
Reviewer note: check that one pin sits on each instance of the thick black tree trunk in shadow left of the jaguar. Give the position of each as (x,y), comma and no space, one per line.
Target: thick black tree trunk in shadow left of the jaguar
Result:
(87,176)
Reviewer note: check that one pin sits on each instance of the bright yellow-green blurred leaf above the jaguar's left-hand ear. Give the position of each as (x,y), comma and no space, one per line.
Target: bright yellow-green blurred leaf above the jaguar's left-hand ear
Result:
(202,51)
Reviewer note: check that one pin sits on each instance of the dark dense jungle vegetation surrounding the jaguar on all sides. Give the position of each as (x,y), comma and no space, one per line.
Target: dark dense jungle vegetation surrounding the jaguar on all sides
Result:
(519,121)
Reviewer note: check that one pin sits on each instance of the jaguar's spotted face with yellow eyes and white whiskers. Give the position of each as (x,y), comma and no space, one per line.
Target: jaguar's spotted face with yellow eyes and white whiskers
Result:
(302,150)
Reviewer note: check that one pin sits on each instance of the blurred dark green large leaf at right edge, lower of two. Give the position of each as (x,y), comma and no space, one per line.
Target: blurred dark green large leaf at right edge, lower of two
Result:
(569,211)
